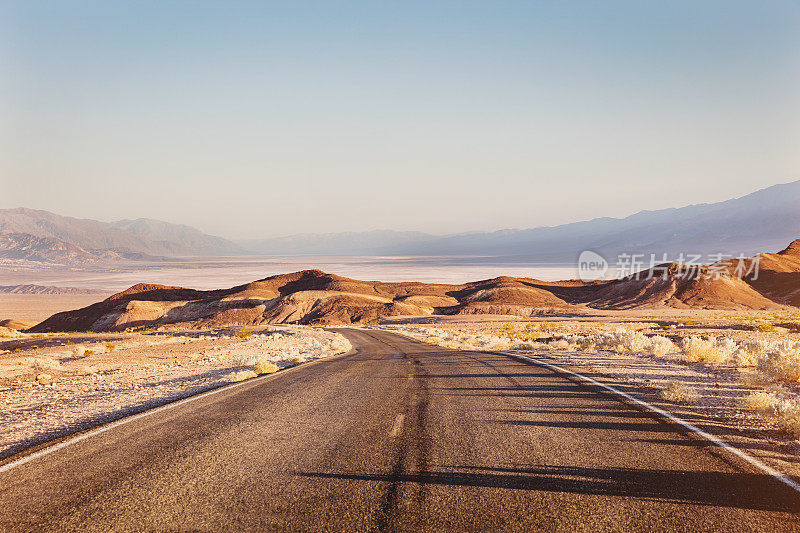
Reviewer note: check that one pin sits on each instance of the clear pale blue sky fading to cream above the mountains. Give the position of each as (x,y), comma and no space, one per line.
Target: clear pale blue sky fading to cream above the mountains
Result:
(256,119)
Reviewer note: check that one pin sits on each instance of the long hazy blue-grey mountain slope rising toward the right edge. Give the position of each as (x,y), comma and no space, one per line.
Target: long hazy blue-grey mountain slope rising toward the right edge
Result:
(763,220)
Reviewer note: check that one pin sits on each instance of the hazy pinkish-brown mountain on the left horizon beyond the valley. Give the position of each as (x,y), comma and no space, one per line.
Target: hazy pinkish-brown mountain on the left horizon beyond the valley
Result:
(43,236)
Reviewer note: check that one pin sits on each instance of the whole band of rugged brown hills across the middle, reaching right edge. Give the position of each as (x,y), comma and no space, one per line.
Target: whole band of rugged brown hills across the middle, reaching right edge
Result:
(314,297)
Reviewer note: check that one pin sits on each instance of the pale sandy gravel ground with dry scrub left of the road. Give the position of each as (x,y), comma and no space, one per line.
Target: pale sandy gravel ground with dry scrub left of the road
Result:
(55,385)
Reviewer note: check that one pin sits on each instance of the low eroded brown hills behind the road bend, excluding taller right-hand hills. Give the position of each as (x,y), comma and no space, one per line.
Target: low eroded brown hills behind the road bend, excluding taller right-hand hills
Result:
(307,297)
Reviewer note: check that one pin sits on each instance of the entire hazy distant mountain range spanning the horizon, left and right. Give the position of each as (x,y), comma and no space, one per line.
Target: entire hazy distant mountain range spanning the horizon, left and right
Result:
(763,220)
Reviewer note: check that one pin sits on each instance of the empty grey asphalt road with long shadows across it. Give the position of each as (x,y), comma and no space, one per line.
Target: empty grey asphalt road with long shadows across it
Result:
(398,436)
